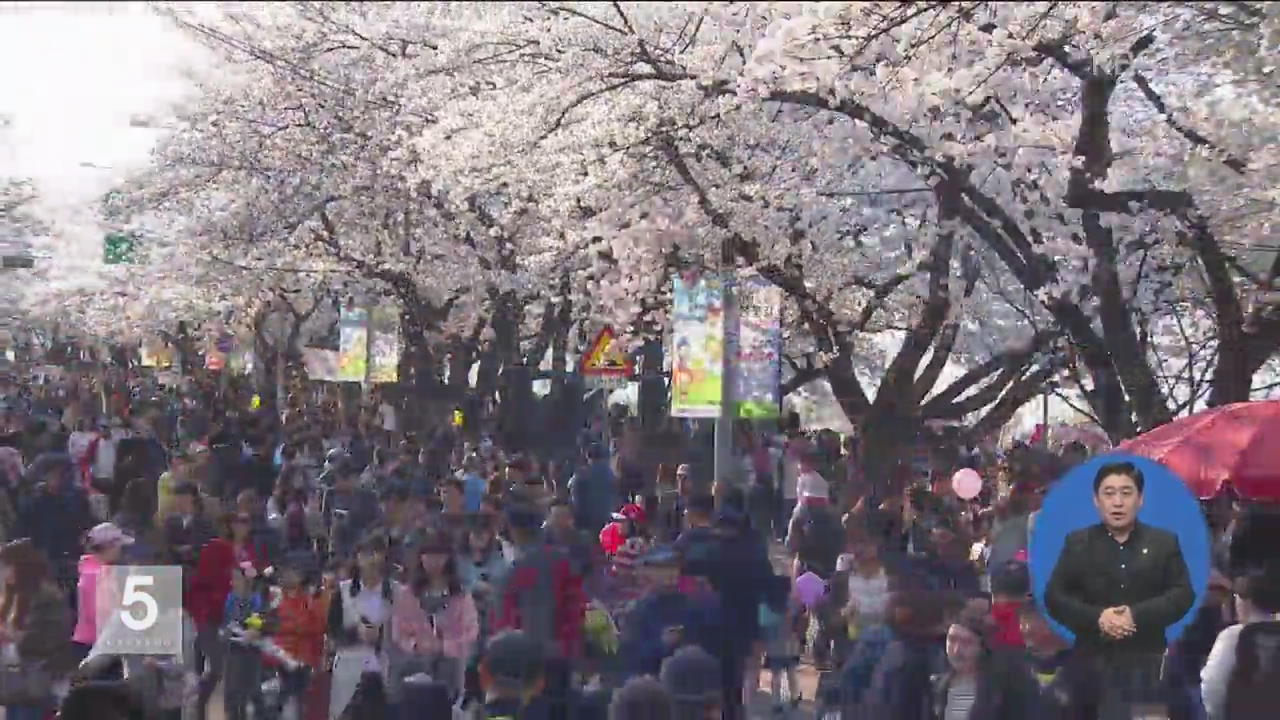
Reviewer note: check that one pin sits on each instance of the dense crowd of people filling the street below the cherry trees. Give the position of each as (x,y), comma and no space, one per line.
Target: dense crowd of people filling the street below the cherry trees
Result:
(336,569)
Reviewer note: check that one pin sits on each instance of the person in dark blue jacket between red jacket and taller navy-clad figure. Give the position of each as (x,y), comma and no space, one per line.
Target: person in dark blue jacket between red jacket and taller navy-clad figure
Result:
(666,619)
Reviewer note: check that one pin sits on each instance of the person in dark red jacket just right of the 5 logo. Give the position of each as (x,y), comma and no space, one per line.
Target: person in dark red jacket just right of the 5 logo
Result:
(207,596)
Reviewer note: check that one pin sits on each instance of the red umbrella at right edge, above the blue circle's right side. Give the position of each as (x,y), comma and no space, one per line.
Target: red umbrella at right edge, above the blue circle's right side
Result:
(1237,444)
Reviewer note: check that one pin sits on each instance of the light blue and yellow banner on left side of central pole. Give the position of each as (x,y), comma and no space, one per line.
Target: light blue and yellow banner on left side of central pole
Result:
(698,347)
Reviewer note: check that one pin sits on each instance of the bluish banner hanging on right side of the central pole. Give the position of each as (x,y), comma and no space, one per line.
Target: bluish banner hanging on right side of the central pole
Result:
(760,352)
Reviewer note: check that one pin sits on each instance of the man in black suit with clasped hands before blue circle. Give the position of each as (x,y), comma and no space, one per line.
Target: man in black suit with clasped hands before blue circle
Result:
(1118,586)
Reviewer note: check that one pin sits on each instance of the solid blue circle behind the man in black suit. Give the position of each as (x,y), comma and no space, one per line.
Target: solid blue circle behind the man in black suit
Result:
(1165,504)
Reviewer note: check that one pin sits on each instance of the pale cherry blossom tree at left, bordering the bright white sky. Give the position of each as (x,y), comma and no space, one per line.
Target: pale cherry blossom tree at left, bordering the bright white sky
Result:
(300,158)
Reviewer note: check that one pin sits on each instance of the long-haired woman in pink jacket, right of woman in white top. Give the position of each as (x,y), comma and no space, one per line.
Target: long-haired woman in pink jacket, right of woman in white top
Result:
(435,621)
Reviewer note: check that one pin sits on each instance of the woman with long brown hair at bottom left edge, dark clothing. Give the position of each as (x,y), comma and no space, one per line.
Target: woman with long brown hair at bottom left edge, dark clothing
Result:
(35,627)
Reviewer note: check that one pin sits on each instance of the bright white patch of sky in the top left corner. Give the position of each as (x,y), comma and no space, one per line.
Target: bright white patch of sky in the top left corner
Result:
(71,78)
